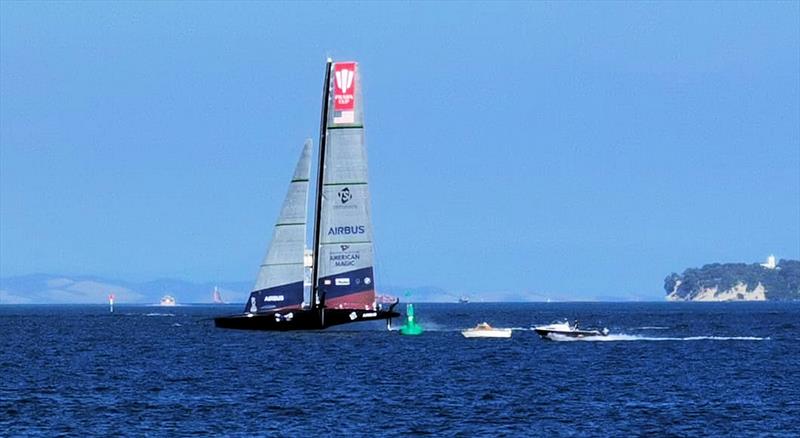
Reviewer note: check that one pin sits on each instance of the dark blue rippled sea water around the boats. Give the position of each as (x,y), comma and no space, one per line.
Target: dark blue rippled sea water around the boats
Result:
(667,369)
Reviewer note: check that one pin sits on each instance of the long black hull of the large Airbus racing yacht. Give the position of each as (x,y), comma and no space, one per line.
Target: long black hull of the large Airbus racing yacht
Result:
(301,319)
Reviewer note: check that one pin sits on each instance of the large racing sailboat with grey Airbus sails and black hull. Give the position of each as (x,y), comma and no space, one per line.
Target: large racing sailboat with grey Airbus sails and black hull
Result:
(342,286)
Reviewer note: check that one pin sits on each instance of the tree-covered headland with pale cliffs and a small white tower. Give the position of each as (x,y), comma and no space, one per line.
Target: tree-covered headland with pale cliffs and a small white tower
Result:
(737,282)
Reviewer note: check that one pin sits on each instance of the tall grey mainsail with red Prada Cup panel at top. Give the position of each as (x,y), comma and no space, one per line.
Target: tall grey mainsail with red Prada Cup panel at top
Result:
(345,277)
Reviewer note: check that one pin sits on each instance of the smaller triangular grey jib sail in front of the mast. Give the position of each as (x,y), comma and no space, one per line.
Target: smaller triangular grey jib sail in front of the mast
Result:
(280,279)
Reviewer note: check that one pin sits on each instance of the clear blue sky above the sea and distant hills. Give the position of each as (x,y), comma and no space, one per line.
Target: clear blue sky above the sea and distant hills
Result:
(571,150)
